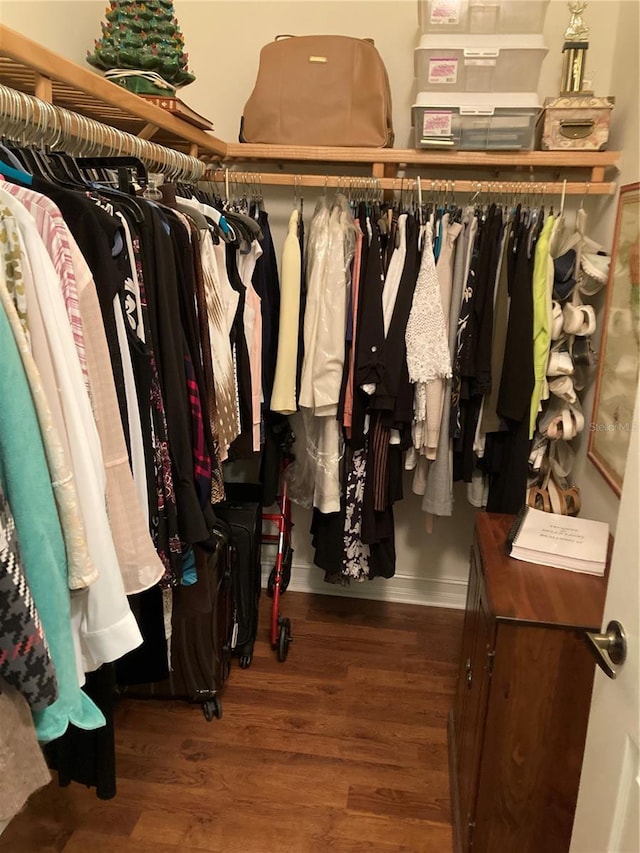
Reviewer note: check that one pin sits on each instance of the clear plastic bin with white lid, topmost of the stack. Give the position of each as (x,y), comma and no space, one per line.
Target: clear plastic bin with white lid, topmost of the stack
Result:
(482,16)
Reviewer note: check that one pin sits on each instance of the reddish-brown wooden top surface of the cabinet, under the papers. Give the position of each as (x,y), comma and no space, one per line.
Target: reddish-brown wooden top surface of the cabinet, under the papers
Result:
(531,592)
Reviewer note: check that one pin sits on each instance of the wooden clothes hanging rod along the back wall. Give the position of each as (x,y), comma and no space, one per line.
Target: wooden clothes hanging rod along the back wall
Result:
(254,180)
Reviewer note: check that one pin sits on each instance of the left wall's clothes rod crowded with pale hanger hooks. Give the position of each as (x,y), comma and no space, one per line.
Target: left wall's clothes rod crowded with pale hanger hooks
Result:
(31,120)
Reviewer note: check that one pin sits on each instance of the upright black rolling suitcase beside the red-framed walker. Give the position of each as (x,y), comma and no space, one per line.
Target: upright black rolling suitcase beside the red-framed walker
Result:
(245,521)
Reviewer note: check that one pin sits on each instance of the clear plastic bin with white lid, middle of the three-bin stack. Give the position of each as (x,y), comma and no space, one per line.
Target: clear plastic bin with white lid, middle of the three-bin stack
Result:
(479,63)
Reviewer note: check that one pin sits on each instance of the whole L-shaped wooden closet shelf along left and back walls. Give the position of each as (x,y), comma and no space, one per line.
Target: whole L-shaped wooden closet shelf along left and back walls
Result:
(29,67)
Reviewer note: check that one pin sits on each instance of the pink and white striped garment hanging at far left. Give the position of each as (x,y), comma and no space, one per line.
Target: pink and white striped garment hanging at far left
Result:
(53,230)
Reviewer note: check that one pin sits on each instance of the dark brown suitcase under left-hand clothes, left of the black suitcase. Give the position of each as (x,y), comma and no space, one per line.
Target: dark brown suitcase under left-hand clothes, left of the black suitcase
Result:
(201,631)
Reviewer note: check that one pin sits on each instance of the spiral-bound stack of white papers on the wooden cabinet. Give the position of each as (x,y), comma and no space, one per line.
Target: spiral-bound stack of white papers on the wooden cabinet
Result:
(576,544)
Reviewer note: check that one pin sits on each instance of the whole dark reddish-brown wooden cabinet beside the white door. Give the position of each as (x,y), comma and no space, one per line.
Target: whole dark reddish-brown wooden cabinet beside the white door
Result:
(519,722)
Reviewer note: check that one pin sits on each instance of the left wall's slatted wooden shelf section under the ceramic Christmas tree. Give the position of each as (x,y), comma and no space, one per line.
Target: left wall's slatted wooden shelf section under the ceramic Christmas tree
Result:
(29,67)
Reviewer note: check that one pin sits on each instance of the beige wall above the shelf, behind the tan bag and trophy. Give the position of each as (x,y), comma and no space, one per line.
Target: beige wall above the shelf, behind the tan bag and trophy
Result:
(224,38)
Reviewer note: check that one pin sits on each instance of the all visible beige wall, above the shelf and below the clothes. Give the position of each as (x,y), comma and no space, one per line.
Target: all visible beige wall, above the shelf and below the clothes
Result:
(224,38)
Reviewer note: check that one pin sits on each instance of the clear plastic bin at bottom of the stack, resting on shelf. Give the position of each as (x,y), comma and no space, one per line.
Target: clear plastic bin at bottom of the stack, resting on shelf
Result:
(466,123)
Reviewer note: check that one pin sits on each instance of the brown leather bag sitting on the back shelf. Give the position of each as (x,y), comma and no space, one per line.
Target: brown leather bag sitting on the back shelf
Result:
(319,90)
